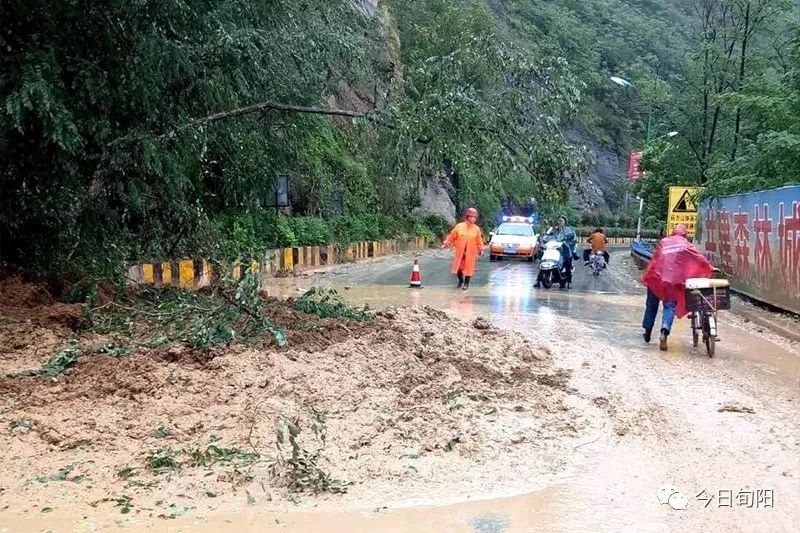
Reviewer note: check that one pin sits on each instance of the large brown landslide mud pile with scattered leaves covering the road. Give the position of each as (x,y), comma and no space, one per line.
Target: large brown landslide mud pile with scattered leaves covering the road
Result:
(381,408)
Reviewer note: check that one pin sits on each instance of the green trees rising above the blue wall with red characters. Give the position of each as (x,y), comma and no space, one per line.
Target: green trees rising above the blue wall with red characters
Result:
(734,106)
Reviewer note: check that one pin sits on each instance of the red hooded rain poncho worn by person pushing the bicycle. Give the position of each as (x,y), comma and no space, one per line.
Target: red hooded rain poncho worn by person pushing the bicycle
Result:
(674,261)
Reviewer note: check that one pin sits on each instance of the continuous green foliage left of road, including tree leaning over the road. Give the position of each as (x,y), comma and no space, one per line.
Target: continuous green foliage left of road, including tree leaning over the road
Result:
(107,156)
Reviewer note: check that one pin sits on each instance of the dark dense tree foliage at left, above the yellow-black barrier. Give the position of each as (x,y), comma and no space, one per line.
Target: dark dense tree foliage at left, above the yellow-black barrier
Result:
(98,165)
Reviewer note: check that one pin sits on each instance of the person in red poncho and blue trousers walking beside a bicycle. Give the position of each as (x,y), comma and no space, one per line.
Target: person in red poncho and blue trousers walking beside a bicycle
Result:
(674,261)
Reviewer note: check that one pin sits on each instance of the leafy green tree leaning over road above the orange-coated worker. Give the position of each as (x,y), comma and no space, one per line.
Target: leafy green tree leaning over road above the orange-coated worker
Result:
(486,105)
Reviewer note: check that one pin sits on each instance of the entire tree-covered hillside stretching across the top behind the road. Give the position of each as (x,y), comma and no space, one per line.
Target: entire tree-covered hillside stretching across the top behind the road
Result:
(155,129)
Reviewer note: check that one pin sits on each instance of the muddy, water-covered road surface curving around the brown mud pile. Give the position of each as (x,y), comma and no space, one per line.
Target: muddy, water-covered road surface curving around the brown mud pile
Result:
(654,419)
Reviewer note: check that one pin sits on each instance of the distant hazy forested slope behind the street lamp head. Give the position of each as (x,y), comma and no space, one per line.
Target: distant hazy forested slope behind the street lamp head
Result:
(642,41)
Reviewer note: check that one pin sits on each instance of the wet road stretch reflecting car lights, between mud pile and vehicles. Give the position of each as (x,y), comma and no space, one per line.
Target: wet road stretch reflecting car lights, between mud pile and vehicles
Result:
(504,288)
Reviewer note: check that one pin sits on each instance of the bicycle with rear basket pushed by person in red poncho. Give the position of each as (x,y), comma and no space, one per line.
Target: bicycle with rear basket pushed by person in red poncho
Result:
(704,297)
